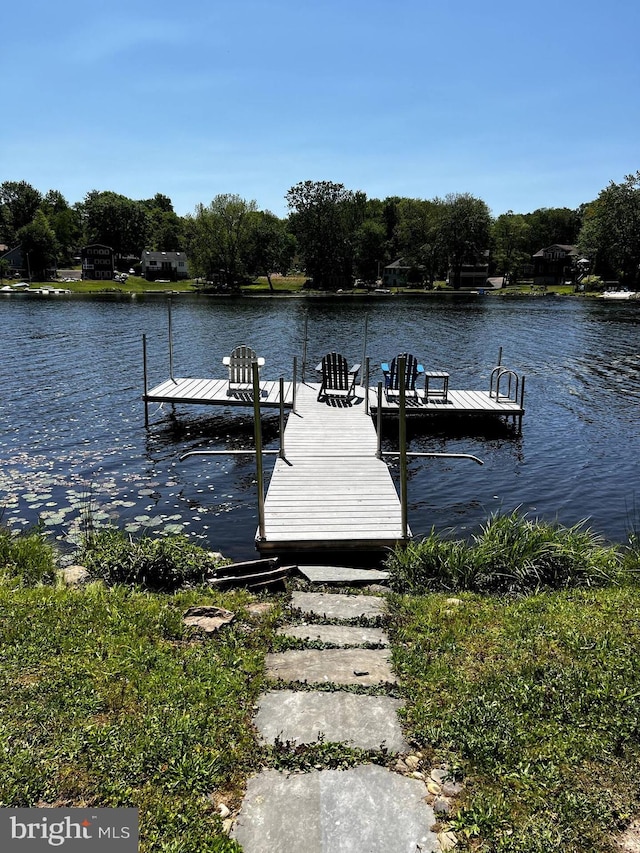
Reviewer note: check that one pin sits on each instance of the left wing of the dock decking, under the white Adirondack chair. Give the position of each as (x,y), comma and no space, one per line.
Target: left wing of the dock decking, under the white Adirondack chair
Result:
(216,392)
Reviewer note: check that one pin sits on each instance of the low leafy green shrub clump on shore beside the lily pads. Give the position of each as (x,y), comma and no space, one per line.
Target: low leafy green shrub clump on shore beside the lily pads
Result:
(164,564)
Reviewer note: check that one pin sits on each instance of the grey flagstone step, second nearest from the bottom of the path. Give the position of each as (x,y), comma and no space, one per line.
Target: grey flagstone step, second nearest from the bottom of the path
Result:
(361,721)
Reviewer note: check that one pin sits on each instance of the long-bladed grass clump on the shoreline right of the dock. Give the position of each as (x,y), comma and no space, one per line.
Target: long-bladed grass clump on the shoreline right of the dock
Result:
(512,554)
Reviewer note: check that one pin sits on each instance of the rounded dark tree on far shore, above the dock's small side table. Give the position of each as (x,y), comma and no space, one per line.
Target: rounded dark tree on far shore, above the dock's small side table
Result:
(466,226)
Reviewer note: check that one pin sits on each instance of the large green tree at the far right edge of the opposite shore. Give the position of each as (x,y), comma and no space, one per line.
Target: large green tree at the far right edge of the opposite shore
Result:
(611,230)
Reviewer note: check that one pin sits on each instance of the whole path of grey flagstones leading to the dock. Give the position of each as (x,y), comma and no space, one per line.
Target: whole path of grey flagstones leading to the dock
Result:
(364,809)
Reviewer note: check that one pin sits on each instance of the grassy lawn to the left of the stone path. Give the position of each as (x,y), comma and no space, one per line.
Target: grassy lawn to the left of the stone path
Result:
(107,699)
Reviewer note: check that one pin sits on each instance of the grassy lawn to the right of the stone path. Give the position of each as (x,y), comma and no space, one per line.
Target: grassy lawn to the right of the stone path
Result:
(536,702)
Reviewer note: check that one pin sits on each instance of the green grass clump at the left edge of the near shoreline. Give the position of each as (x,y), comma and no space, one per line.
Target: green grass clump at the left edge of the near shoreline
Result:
(26,559)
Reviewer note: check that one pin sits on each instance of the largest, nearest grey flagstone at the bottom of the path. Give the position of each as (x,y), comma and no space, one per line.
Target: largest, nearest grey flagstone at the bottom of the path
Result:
(365,808)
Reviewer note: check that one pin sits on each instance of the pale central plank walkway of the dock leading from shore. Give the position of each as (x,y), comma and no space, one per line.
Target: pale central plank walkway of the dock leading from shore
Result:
(331,492)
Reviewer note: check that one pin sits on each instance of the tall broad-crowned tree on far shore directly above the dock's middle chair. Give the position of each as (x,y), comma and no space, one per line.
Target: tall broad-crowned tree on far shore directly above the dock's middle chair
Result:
(323,220)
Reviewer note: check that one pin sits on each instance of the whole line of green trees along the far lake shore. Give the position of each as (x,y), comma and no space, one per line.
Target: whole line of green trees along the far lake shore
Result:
(332,233)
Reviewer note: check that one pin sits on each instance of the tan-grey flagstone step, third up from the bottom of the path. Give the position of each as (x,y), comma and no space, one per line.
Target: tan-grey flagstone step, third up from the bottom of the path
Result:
(365,667)
